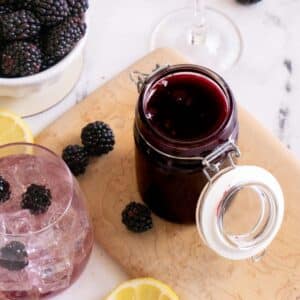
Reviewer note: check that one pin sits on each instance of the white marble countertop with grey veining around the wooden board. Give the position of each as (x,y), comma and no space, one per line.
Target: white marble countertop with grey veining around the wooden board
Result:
(264,81)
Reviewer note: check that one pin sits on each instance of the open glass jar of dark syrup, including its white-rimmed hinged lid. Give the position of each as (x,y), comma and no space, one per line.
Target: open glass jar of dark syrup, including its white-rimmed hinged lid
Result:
(186,129)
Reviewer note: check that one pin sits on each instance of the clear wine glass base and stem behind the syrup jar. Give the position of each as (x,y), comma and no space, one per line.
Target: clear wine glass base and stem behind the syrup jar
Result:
(204,35)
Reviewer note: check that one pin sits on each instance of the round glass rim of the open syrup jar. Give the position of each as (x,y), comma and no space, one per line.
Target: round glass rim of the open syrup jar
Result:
(185,145)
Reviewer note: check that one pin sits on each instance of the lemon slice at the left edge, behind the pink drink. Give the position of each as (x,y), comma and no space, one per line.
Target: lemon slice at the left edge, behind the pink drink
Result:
(13,129)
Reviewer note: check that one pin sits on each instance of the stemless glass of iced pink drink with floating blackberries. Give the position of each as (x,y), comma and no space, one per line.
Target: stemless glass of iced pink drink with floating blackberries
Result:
(41,254)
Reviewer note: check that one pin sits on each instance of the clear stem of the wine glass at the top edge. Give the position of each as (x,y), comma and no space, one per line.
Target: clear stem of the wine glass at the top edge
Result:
(198,31)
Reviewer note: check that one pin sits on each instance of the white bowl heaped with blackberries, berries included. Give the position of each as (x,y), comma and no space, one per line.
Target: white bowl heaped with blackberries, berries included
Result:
(40,41)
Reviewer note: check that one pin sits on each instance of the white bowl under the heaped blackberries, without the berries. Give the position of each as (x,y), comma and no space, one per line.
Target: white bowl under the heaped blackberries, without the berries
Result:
(33,94)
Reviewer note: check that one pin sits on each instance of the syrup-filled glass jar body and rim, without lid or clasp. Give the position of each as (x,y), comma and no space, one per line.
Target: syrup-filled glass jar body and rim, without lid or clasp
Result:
(183,113)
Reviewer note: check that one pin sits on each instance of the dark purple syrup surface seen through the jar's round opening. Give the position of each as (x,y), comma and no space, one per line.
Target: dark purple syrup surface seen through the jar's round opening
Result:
(186,106)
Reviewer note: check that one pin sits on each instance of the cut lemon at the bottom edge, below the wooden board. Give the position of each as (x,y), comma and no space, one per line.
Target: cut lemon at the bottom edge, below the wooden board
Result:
(143,289)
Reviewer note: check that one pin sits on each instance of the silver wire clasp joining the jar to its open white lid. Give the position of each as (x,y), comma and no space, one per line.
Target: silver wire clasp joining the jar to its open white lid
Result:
(213,161)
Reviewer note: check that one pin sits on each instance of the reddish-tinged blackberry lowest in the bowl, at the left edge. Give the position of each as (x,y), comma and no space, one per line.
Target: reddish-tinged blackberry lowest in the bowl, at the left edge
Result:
(21,59)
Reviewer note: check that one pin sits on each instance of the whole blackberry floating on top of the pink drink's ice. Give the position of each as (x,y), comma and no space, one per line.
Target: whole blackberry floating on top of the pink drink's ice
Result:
(37,199)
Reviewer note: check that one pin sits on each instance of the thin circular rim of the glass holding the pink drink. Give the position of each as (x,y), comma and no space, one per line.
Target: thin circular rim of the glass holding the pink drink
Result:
(70,176)
